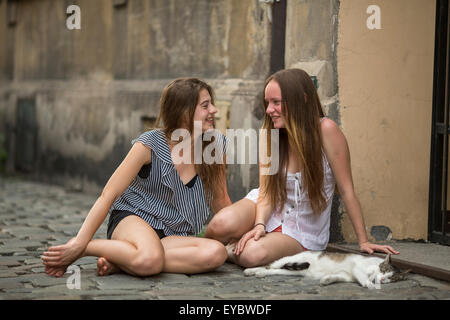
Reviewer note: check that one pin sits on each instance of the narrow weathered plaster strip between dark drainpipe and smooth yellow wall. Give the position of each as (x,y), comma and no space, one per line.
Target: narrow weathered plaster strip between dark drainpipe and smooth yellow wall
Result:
(311,40)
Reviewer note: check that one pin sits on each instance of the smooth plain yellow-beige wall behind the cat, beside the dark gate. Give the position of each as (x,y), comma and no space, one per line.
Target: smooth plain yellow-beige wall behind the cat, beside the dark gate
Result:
(385,80)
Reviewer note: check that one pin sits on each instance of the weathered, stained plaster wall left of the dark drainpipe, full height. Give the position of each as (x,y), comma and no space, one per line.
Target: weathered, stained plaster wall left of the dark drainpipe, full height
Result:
(93,87)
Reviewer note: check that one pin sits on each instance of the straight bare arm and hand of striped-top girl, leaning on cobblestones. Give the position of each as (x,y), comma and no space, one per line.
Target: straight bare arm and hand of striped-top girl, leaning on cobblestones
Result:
(65,254)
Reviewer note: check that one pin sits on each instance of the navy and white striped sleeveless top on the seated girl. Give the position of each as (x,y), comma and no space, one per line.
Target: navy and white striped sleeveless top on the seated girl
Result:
(160,197)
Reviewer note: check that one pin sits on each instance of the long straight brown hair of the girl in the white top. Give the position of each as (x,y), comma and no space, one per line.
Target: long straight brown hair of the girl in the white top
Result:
(302,110)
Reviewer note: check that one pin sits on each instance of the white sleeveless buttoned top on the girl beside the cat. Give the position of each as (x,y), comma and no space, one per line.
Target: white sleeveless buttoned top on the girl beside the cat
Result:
(296,217)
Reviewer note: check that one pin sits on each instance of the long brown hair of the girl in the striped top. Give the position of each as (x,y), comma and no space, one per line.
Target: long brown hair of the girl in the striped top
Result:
(177,107)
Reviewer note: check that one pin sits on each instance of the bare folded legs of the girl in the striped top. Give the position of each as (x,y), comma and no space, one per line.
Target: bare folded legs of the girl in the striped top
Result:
(136,249)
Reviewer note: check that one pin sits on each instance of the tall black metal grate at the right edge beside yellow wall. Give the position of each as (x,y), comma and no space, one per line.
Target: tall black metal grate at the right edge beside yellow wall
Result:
(439,215)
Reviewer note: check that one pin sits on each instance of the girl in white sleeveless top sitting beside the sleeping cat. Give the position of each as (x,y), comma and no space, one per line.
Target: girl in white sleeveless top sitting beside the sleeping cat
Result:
(290,212)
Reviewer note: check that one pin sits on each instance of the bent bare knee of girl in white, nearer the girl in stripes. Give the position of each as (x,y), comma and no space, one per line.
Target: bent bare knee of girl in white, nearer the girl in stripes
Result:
(232,222)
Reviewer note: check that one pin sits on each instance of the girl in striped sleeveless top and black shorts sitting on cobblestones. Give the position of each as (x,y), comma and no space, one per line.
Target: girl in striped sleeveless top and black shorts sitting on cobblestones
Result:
(156,205)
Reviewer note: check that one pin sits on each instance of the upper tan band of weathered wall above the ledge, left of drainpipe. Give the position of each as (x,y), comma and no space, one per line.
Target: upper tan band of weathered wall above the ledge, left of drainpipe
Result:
(142,40)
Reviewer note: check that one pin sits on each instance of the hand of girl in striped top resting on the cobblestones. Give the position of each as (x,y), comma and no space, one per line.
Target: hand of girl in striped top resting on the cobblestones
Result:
(58,258)
